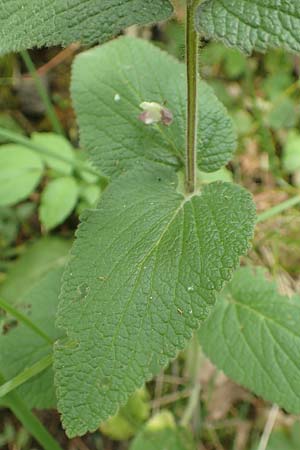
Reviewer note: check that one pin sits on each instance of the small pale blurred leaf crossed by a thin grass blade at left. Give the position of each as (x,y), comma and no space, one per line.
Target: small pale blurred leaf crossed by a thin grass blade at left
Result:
(58,145)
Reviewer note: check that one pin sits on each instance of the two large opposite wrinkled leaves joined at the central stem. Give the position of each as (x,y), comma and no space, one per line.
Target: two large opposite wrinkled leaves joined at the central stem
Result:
(148,263)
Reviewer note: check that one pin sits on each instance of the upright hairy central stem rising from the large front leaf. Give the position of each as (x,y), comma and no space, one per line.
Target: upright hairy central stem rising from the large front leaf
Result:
(192,97)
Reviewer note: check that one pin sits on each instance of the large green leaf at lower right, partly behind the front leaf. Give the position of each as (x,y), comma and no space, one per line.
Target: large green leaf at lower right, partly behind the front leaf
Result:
(253,336)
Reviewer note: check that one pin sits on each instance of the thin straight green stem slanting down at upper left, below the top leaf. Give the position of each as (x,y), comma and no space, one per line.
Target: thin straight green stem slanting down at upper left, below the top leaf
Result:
(56,125)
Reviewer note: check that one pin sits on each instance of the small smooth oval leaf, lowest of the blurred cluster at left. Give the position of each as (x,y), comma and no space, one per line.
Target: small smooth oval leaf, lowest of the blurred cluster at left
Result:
(58,201)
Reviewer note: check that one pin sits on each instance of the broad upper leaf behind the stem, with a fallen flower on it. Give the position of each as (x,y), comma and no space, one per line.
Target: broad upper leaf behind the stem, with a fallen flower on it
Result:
(108,85)
